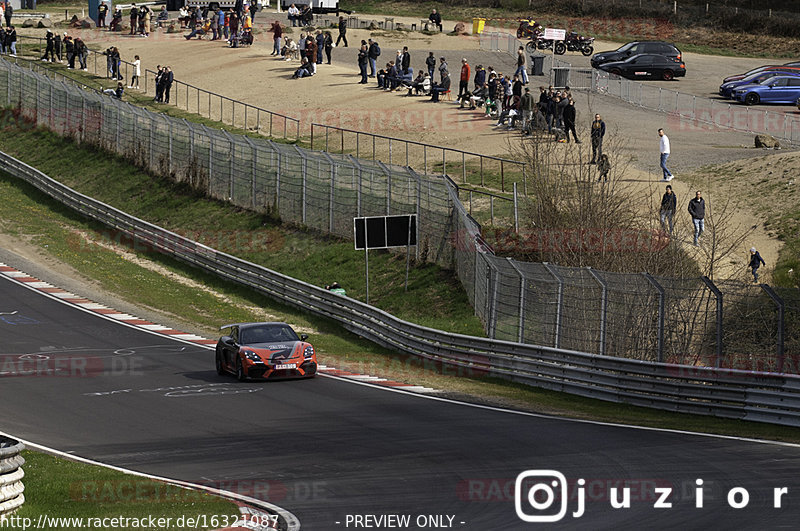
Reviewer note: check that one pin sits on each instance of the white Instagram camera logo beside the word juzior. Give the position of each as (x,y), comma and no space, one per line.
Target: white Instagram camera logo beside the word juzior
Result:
(535,493)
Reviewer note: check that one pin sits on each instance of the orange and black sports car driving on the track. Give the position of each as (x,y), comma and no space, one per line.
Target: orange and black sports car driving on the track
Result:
(266,351)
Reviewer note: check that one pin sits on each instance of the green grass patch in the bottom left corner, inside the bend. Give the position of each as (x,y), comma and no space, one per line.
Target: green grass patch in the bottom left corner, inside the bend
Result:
(60,488)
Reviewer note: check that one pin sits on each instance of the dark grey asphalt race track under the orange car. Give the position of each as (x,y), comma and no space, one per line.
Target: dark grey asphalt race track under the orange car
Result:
(327,448)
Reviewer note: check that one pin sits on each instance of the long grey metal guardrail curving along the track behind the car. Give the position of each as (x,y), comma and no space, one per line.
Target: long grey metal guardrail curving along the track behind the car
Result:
(728,393)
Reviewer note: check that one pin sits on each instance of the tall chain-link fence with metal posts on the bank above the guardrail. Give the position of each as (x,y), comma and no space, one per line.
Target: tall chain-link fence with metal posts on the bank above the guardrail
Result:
(688,321)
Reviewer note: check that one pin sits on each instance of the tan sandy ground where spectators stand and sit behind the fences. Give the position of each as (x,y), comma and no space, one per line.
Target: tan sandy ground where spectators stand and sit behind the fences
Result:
(334,97)
